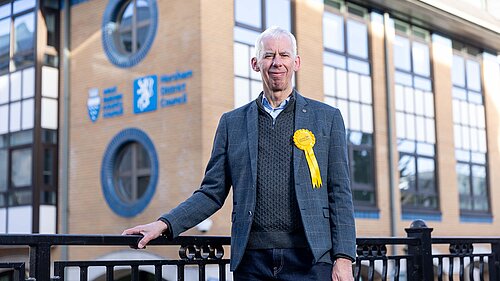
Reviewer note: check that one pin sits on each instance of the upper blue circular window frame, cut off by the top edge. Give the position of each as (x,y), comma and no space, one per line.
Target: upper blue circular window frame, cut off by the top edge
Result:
(110,18)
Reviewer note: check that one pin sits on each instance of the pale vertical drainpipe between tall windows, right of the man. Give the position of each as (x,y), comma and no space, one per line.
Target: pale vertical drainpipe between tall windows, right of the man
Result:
(390,117)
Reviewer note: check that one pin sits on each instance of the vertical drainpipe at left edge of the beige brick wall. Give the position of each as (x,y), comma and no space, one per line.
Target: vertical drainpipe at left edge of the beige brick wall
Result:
(65,130)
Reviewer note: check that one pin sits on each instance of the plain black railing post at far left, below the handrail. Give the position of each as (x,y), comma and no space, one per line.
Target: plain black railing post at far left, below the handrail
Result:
(40,261)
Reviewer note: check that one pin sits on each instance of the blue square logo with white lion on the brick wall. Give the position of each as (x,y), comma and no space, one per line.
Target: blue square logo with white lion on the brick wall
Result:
(145,94)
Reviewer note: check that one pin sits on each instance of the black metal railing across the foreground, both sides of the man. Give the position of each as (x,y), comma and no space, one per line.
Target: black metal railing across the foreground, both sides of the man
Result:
(411,258)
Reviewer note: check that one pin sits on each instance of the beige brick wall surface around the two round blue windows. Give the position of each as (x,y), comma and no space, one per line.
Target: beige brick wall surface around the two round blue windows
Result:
(176,132)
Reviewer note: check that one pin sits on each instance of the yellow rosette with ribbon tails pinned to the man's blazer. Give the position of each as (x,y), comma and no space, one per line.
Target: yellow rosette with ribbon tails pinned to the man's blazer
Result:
(305,140)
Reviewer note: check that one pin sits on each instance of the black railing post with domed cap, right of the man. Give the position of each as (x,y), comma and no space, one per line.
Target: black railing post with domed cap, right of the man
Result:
(421,266)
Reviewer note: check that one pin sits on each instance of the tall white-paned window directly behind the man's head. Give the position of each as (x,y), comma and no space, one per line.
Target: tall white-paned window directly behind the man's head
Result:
(252,18)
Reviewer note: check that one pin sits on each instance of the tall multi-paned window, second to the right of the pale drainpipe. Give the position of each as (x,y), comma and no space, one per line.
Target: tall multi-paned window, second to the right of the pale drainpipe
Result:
(469,130)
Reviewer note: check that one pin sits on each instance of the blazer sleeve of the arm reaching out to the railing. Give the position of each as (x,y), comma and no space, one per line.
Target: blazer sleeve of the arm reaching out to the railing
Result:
(213,191)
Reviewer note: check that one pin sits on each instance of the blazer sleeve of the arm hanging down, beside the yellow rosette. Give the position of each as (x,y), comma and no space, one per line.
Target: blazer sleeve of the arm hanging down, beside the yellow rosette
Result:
(339,193)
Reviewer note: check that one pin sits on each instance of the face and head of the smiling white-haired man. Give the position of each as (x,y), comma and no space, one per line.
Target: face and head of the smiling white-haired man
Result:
(276,63)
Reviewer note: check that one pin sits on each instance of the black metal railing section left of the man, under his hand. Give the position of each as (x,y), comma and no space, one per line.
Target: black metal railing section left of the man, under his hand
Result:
(193,250)
